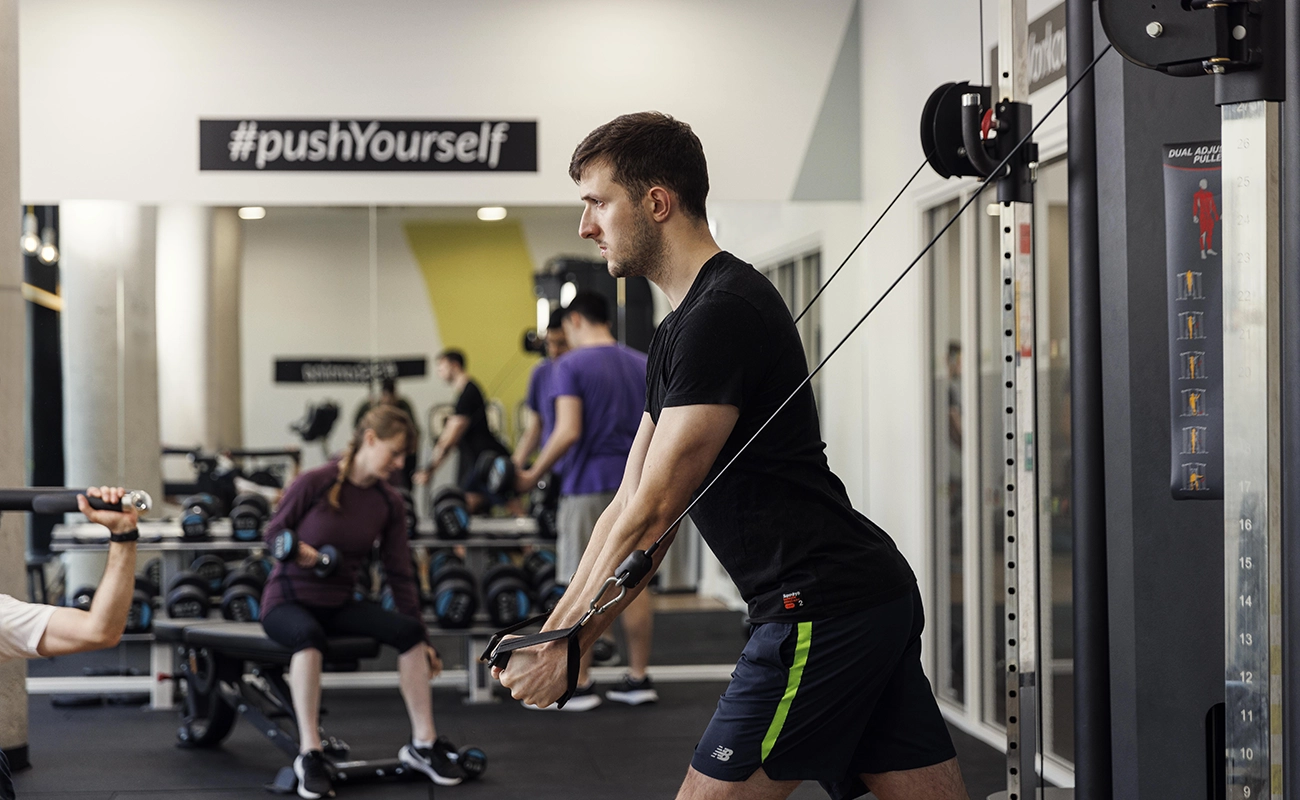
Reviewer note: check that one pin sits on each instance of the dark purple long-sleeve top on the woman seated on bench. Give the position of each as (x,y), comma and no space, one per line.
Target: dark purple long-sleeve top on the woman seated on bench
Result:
(365,517)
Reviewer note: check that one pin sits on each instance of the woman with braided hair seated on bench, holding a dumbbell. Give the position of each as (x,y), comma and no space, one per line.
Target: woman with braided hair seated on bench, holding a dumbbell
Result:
(350,505)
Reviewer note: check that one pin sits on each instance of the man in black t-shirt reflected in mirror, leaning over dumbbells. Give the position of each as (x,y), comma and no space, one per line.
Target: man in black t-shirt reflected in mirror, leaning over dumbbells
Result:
(466,431)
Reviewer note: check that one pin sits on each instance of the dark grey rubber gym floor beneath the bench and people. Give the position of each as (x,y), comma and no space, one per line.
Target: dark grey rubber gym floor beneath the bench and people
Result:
(129,754)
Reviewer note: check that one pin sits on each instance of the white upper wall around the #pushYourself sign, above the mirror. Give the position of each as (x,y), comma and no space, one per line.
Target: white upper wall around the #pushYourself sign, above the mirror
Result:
(112,92)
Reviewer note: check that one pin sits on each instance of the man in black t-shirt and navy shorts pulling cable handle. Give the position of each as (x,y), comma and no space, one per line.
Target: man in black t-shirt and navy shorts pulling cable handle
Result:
(830,687)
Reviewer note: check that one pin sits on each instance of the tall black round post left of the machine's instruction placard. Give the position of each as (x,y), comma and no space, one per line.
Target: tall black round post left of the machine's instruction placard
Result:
(1093,763)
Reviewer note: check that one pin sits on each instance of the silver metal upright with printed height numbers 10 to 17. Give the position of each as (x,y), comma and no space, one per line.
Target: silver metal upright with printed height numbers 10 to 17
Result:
(1251,459)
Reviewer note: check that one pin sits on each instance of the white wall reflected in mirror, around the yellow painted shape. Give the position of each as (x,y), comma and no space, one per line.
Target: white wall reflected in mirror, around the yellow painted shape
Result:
(307,293)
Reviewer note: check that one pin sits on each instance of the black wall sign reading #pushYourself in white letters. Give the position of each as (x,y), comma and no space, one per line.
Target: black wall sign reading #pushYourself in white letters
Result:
(369,145)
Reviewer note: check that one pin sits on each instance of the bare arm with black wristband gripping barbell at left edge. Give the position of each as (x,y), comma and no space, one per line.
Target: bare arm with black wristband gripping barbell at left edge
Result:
(76,632)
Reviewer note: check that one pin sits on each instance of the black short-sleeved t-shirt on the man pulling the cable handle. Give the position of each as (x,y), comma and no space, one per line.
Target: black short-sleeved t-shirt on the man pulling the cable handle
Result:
(779,521)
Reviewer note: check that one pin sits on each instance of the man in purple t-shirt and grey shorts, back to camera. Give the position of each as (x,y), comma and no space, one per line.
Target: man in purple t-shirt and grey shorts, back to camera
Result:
(600,390)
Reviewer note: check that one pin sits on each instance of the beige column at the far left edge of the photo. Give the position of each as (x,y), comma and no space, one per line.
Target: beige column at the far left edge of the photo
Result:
(14,676)
